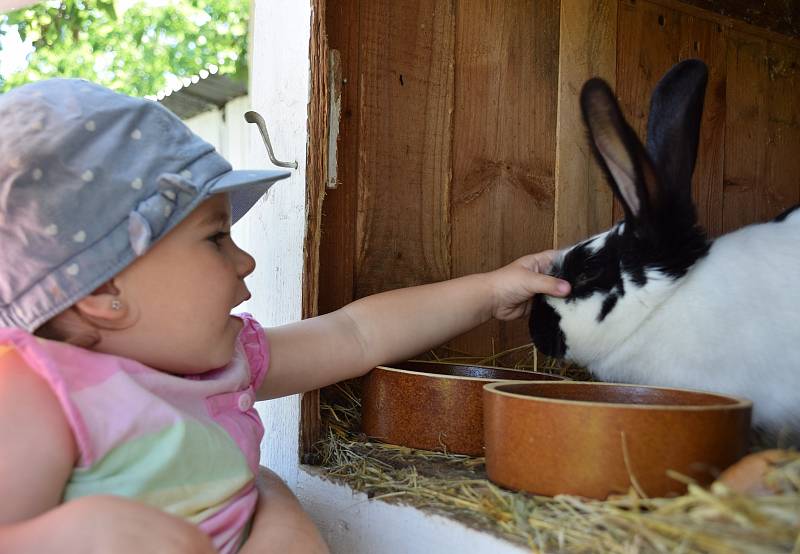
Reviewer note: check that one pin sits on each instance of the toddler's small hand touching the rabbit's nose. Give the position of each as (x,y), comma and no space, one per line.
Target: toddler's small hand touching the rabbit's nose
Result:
(516,283)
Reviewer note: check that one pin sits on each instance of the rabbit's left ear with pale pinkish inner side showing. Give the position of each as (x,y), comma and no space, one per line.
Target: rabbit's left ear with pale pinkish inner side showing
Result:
(619,151)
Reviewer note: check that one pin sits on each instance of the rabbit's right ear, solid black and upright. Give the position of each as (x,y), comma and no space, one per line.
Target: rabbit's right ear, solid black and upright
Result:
(673,128)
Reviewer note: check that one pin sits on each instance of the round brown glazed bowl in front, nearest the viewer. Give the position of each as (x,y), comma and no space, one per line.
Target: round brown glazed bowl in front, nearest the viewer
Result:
(597,439)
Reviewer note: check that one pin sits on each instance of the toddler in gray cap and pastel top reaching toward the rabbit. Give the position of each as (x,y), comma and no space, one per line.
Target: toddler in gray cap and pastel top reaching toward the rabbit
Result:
(126,387)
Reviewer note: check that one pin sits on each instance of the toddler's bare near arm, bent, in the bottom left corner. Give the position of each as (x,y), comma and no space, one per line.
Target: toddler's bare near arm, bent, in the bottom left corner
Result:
(38,453)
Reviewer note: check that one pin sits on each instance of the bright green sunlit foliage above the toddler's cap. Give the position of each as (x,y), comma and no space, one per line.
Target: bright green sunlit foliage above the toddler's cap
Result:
(131,52)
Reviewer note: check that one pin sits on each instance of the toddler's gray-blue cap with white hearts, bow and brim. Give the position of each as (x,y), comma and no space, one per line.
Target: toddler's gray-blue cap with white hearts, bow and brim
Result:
(89,179)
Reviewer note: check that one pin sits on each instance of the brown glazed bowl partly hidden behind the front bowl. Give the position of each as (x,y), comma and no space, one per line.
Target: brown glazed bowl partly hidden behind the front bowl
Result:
(431,405)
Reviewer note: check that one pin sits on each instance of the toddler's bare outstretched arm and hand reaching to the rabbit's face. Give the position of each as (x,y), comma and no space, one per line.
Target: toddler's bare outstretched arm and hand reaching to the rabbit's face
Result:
(395,325)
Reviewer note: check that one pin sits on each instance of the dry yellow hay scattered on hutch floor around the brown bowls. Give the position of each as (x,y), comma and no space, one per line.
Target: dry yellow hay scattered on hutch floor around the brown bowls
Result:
(716,520)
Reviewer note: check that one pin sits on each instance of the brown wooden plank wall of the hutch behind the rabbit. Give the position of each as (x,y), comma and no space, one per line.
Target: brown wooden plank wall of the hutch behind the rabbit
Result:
(448,158)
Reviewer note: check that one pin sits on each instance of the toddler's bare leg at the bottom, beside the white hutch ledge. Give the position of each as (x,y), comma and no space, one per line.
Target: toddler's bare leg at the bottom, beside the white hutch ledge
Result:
(280,524)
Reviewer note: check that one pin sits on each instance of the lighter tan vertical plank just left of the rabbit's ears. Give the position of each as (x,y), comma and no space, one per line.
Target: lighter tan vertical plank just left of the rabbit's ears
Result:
(587,48)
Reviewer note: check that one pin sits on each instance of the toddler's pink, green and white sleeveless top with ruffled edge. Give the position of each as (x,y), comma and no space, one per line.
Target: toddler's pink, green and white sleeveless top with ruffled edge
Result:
(186,444)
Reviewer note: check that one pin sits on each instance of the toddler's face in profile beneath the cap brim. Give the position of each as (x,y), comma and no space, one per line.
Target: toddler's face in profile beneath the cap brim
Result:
(180,294)
